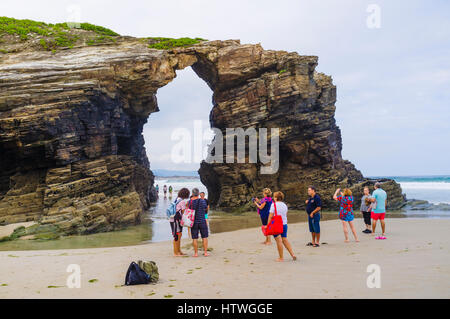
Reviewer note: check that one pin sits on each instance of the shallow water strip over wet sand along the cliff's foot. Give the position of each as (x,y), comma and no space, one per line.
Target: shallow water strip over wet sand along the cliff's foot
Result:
(155,228)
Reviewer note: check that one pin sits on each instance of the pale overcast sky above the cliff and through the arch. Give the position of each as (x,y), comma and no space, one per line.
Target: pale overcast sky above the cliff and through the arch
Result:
(393,82)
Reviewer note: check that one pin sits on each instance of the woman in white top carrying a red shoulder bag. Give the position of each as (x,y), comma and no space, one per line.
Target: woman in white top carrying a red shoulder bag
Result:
(280,208)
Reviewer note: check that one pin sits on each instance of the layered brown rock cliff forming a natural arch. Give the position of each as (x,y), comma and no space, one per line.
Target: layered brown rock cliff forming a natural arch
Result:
(71,144)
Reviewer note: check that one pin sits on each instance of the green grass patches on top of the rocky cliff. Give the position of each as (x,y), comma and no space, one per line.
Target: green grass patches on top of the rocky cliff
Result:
(16,35)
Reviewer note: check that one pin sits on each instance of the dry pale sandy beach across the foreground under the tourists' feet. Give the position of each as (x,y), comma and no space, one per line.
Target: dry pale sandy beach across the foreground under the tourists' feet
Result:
(414,262)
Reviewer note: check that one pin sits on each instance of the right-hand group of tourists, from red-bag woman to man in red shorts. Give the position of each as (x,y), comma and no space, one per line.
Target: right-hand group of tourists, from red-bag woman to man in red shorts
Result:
(373,208)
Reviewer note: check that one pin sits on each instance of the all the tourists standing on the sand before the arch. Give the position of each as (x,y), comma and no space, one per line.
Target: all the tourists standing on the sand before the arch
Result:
(373,208)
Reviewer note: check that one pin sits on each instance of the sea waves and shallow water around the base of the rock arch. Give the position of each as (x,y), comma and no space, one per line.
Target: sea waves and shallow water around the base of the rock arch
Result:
(155,227)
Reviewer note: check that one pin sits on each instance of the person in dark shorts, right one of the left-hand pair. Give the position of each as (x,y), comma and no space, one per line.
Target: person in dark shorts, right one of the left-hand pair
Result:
(199,205)
